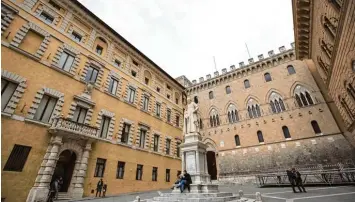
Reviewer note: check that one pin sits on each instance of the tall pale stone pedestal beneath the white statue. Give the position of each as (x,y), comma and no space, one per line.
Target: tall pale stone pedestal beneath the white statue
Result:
(194,161)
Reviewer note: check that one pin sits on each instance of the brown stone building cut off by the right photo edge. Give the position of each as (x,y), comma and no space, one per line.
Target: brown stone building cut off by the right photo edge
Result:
(324,39)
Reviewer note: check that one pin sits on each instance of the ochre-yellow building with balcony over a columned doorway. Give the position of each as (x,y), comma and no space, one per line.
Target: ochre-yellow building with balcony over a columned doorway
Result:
(79,101)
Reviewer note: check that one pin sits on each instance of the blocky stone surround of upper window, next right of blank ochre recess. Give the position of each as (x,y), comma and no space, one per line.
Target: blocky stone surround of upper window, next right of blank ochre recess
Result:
(73,51)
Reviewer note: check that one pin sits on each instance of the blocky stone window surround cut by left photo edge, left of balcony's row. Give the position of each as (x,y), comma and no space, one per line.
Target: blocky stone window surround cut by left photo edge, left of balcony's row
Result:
(19,91)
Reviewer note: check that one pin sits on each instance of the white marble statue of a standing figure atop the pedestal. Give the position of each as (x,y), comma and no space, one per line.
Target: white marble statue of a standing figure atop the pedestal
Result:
(191,121)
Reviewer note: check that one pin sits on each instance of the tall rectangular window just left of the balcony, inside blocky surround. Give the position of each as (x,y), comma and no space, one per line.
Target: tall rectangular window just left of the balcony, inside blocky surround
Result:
(45,108)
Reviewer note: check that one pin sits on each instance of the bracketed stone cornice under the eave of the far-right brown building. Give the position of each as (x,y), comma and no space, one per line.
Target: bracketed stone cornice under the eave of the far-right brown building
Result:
(302,16)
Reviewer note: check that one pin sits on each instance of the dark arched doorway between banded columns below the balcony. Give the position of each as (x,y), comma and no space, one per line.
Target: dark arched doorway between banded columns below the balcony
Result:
(64,168)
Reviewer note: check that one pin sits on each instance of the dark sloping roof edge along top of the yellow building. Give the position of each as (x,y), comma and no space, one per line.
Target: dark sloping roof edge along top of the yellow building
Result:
(125,41)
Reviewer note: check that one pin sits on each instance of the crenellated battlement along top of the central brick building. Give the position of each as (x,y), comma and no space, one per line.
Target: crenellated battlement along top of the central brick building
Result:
(273,59)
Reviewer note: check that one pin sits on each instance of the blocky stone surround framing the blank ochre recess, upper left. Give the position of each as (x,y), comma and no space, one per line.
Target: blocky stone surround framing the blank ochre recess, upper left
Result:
(20,35)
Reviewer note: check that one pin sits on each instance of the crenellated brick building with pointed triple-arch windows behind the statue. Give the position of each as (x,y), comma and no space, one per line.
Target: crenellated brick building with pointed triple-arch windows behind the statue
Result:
(267,115)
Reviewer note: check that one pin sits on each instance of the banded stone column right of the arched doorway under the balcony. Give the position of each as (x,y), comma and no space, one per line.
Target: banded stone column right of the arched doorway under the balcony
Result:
(78,190)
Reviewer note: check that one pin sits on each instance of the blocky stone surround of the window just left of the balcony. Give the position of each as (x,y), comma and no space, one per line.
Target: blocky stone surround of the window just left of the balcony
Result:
(38,97)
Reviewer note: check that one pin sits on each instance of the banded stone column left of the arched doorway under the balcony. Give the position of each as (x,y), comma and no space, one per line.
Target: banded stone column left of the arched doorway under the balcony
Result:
(40,189)
